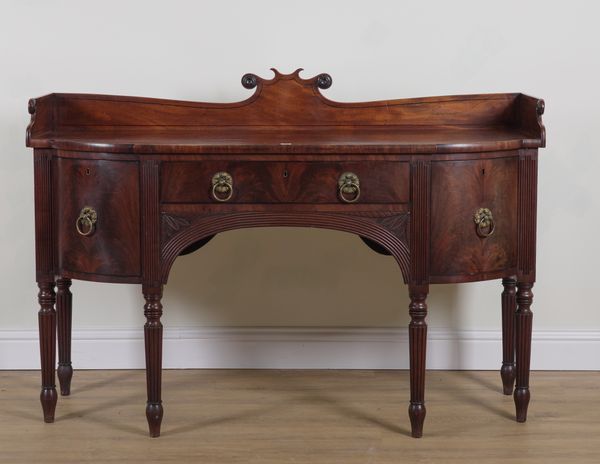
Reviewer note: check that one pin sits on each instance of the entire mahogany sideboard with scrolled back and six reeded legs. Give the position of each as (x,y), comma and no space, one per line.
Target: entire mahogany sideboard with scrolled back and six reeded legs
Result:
(445,185)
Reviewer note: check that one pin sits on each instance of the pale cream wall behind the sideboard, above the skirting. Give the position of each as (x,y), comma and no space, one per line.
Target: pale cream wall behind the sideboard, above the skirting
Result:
(373,50)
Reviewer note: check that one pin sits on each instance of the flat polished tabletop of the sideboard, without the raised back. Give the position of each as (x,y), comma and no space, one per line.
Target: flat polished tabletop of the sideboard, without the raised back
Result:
(241,139)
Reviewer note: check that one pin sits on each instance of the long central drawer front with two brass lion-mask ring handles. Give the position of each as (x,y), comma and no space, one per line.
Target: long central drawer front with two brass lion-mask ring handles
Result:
(284,182)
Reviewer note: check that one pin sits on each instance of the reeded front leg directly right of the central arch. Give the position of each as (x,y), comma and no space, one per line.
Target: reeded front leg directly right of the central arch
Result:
(417,334)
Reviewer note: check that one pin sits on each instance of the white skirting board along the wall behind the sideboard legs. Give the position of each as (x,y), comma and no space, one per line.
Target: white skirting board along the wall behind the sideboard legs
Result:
(304,348)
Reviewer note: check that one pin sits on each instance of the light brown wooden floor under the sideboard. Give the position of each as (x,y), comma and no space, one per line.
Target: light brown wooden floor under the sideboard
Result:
(243,416)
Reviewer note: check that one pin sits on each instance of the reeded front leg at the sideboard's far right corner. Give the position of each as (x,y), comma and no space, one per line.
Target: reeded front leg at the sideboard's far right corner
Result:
(524,318)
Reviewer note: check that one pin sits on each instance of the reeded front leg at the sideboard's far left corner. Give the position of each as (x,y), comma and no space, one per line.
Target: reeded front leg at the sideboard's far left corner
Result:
(47,328)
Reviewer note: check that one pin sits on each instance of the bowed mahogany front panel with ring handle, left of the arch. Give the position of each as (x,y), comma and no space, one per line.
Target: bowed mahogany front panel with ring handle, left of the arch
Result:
(111,190)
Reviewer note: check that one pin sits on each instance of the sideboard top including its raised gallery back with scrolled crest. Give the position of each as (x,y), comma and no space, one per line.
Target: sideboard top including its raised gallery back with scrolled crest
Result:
(286,114)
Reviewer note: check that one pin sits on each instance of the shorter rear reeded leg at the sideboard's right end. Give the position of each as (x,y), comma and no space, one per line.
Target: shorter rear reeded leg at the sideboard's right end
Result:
(509,303)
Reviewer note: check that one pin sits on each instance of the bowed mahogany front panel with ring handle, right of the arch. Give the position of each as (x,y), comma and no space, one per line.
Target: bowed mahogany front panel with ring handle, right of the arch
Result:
(459,190)
